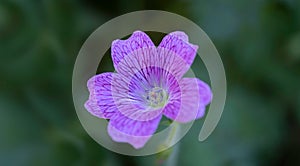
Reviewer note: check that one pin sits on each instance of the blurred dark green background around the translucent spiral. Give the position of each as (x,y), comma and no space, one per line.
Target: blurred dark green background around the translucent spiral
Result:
(259,42)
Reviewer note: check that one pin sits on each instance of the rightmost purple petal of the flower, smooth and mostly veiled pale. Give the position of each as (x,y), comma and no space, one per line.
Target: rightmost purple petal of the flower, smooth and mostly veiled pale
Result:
(189,102)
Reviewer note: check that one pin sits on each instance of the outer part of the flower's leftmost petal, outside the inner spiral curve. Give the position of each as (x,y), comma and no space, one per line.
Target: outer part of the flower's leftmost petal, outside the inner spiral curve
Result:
(100,102)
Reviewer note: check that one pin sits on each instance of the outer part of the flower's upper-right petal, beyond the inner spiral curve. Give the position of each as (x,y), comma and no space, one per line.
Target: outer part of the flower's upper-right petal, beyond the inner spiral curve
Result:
(176,44)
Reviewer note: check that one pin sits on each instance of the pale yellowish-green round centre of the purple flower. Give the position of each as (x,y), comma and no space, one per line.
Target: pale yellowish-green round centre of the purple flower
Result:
(157,97)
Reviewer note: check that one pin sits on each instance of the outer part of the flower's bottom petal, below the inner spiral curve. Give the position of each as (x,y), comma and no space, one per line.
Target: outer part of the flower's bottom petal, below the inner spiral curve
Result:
(136,133)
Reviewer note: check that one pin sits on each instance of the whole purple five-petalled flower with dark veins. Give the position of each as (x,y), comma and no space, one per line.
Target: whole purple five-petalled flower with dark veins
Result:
(147,84)
